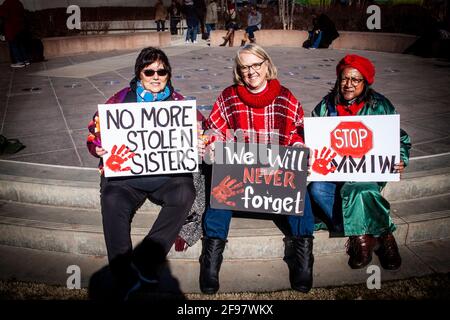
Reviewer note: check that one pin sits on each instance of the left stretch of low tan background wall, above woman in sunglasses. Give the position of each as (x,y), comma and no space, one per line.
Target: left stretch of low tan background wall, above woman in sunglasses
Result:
(62,46)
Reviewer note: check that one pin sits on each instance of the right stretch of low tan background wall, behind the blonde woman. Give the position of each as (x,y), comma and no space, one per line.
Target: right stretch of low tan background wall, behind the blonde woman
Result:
(375,41)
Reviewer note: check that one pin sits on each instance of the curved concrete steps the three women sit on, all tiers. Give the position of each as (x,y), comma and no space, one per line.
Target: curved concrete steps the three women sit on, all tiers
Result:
(50,219)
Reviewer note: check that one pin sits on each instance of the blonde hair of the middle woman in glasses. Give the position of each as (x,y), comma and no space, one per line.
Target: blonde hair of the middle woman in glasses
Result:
(260,53)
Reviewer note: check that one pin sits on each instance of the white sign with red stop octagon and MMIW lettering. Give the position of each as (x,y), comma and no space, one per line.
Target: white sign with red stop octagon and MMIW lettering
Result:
(354,148)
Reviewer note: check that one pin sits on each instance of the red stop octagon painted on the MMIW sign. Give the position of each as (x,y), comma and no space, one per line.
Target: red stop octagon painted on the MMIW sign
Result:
(351,138)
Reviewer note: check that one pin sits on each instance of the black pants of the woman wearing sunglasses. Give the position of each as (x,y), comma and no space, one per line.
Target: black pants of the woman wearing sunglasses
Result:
(120,198)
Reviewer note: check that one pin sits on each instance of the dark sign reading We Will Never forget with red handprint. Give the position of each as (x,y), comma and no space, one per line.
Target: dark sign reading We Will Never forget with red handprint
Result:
(259,178)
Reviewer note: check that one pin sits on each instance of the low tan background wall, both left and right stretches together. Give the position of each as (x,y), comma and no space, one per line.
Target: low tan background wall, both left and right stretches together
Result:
(63,46)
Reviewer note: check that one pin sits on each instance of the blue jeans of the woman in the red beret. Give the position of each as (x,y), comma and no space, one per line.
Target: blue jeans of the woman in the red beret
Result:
(326,195)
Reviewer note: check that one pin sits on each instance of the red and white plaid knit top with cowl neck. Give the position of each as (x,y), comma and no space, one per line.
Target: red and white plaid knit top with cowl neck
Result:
(271,114)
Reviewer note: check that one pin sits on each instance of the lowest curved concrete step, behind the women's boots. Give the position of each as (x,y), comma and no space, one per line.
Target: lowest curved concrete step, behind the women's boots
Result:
(236,276)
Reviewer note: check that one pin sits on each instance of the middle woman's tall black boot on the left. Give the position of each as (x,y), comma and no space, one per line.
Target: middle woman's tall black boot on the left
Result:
(210,262)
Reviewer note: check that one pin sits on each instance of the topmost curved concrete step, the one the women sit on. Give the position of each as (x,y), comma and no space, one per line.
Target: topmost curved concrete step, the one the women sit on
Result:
(79,187)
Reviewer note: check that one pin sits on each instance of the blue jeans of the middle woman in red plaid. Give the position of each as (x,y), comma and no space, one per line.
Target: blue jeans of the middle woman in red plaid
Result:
(216,222)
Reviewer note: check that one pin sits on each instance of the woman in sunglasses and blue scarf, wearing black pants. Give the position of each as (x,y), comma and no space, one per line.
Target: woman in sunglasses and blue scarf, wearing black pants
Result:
(121,197)
